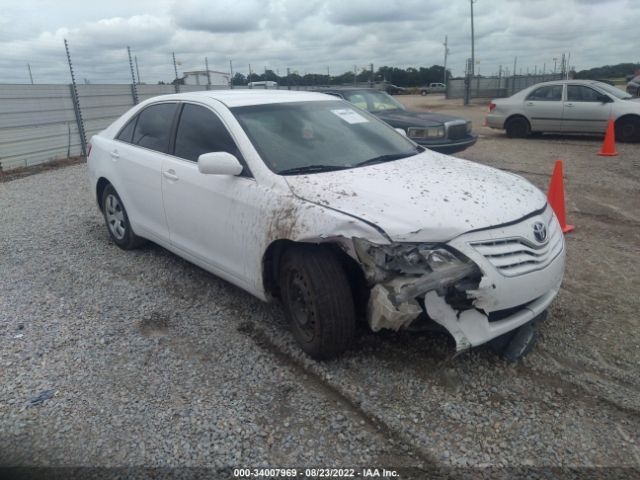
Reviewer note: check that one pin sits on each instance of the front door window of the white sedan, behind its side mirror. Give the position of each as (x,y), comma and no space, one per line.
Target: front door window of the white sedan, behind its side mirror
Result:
(201,131)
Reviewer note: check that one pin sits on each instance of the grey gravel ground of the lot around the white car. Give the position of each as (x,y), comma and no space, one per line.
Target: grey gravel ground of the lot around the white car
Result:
(152,361)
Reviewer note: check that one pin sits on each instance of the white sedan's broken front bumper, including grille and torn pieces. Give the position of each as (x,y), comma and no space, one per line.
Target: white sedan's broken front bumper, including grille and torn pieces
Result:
(520,277)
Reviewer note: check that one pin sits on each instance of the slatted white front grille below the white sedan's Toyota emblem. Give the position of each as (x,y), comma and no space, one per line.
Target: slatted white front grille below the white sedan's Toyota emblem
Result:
(519,256)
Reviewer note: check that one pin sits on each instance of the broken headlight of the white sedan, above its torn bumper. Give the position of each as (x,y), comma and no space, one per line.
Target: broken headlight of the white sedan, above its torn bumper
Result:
(385,261)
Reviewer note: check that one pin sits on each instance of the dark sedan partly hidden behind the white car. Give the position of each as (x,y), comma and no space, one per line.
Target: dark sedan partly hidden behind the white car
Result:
(435,131)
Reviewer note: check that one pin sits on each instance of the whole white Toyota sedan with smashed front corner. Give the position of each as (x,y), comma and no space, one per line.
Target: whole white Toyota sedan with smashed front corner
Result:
(303,197)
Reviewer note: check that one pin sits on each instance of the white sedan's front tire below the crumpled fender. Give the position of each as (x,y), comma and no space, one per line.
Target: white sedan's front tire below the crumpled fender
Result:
(317,301)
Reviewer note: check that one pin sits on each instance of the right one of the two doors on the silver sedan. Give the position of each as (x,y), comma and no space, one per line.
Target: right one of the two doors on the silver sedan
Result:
(584,111)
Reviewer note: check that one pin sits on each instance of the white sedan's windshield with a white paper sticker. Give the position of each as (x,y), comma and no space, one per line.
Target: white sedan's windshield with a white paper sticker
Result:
(308,137)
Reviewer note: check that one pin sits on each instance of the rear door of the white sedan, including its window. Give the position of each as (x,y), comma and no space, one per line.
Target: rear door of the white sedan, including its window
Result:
(139,151)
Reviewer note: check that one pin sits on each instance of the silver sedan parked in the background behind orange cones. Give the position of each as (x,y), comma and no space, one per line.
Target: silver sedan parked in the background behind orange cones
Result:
(567,106)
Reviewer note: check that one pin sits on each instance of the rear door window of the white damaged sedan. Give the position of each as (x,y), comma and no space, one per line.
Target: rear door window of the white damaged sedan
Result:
(153,128)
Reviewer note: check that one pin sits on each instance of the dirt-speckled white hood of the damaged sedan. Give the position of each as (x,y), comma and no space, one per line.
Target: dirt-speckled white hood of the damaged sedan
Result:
(428,197)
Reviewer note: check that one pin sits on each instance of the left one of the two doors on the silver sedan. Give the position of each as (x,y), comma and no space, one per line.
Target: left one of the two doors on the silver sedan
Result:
(543,107)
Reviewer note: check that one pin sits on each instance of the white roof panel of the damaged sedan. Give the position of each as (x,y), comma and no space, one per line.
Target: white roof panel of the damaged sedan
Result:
(246,97)
